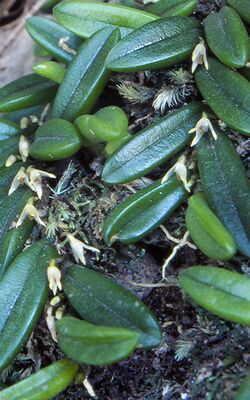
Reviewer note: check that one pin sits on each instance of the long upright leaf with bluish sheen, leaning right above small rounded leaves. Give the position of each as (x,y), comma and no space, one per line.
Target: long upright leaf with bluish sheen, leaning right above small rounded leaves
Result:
(86,76)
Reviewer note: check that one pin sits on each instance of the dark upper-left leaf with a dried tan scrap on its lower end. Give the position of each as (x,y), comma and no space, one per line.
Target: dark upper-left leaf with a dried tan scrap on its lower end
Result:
(48,33)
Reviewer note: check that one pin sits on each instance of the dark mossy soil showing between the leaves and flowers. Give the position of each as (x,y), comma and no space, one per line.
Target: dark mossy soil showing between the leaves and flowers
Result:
(201,356)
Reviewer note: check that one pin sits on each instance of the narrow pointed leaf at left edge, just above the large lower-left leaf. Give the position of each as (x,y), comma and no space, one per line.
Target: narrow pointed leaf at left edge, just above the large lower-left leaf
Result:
(12,243)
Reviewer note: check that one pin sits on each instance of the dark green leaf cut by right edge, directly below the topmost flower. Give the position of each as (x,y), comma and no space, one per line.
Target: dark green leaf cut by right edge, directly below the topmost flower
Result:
(227,93)
